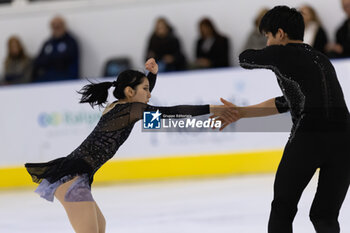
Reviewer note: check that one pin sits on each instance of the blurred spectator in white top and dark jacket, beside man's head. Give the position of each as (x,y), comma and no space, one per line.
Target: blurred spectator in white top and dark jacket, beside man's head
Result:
(314,34)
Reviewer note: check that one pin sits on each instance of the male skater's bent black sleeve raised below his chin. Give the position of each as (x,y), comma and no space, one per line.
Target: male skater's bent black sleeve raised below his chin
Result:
(261,58)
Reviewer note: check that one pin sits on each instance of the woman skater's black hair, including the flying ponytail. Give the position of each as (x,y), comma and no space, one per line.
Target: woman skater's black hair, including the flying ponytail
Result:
(97,93)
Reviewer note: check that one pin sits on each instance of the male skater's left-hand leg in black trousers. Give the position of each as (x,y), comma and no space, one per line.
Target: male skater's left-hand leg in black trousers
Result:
(294,173)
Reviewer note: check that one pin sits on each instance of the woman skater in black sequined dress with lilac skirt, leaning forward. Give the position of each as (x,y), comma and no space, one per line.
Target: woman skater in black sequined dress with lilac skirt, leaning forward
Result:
(69,178)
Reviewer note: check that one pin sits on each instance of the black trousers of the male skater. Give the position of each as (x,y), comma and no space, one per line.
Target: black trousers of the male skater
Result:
(329,151)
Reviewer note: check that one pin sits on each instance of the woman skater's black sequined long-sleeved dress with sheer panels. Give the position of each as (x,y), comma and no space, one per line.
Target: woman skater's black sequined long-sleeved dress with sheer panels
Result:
(110,133)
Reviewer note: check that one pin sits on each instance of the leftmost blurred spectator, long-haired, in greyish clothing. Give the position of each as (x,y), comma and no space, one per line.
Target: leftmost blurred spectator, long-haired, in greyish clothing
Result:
(17,66)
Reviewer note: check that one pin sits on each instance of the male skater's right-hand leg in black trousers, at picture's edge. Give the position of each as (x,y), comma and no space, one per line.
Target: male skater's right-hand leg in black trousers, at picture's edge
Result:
(333,185)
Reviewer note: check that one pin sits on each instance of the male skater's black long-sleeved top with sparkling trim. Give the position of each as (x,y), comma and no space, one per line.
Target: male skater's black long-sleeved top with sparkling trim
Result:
(311,91)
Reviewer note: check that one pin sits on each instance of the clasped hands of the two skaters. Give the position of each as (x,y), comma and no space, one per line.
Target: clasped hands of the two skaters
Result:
(227,113)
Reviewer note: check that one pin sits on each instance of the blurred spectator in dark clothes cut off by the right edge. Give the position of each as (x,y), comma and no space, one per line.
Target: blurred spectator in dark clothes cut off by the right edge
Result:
(342,46)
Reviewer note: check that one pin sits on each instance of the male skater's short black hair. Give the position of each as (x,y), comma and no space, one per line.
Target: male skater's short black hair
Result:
(288,19)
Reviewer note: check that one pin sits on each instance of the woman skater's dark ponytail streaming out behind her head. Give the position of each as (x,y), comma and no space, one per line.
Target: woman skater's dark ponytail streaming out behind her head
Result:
(95,93)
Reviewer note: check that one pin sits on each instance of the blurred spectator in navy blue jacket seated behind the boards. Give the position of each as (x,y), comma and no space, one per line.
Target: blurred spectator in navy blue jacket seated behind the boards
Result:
(59,56)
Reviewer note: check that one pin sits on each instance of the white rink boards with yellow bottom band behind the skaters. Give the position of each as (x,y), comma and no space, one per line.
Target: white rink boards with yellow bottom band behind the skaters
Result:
(41,122)
